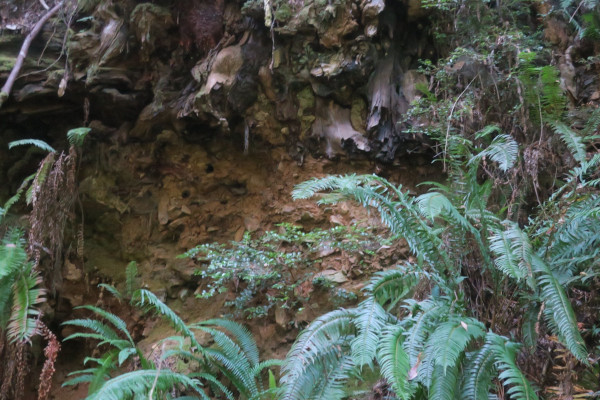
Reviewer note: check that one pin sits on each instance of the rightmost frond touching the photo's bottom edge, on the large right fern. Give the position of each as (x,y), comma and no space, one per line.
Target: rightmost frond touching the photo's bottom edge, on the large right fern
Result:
(517,384)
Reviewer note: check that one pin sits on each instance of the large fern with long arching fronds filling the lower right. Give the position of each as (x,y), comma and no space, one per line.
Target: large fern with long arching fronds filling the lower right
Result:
(439,345)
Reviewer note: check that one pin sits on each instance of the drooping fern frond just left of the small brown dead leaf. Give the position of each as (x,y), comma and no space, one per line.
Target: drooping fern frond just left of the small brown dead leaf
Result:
(394,361)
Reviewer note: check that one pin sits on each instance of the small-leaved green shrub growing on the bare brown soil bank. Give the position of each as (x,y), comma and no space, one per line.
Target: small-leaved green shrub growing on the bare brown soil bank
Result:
(276,262)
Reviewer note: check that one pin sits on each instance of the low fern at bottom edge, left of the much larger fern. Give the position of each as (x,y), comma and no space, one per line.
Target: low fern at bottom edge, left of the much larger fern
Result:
(234,355)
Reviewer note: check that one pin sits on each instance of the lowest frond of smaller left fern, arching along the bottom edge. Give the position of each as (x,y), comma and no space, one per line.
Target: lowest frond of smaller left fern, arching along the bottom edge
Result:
(141,382)
